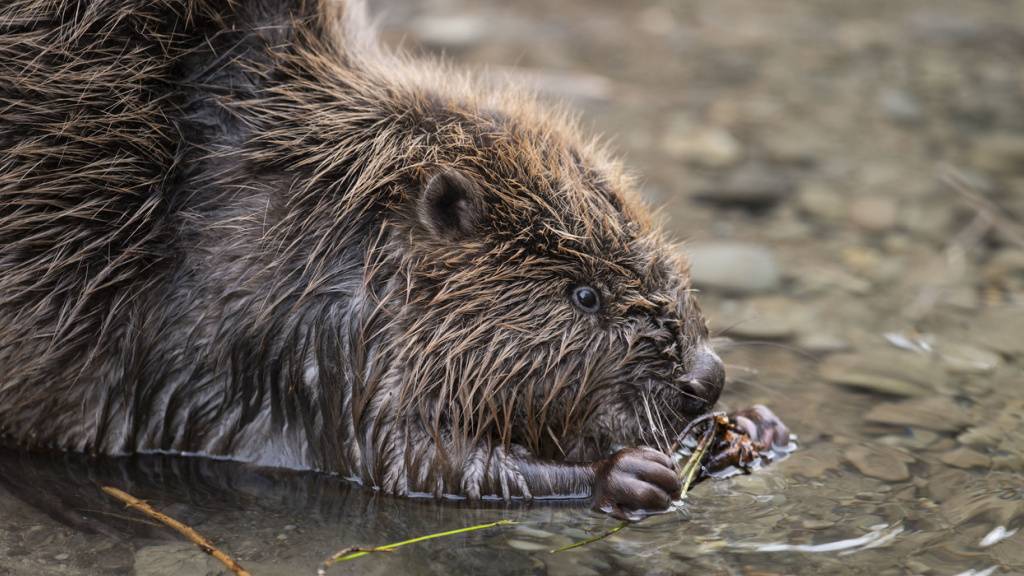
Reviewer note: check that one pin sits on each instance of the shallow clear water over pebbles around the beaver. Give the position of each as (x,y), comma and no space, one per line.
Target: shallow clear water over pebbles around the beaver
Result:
(870,156)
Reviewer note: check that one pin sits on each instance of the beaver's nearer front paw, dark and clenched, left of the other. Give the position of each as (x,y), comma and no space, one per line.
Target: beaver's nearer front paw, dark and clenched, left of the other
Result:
(633,482)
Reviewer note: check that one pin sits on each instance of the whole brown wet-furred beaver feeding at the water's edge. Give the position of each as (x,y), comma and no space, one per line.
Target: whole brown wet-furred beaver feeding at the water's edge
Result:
(246,230)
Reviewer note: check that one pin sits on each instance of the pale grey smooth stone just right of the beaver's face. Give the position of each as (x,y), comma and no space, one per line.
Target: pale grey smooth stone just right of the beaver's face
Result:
(734,267)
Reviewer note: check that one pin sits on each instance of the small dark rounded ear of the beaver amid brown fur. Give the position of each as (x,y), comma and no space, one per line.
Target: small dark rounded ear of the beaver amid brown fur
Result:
(450,207)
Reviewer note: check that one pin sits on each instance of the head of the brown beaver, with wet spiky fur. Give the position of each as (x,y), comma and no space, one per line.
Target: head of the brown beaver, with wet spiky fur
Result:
(540,303)
